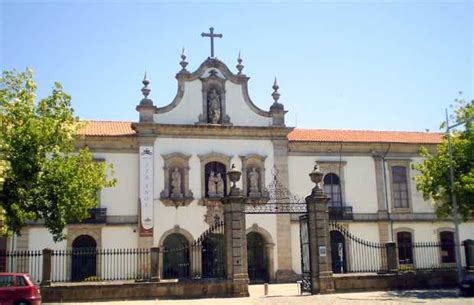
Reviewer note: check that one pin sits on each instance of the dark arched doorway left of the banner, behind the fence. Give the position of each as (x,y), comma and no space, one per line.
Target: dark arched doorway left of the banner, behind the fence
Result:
(83,258)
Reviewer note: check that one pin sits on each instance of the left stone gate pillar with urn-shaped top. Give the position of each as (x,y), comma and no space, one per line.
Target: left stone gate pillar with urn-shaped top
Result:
(235,238)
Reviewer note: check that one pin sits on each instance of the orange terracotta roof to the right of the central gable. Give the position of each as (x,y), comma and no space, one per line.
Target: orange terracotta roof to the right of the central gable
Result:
(364,136)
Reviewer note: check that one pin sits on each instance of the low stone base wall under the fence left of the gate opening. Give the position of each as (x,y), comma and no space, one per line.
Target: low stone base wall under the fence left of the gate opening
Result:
(107,291)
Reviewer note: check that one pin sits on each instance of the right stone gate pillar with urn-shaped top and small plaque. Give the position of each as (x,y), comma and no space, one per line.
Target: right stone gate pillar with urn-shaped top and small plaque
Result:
(322,280)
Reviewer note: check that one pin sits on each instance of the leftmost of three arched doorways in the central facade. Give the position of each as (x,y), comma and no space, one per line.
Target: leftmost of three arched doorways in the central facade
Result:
(176,257)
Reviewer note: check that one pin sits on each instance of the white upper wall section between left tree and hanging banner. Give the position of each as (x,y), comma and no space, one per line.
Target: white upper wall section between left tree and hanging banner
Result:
(123,198)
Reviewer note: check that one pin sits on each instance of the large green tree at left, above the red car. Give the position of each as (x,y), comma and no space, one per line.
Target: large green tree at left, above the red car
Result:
(42,174)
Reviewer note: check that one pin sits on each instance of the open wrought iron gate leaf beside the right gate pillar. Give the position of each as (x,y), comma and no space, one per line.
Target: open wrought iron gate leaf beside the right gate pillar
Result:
(305,254)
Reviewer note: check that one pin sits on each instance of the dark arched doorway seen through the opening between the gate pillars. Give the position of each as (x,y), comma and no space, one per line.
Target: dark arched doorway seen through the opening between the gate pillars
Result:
(256,258)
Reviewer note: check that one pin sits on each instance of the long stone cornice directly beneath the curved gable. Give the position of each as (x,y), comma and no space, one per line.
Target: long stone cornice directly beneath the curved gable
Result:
(210,131)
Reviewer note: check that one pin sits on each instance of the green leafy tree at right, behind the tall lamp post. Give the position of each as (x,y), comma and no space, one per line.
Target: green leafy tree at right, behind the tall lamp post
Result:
(434,180)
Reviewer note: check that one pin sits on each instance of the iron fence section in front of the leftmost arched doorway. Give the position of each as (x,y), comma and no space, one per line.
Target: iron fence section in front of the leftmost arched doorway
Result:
(91,264)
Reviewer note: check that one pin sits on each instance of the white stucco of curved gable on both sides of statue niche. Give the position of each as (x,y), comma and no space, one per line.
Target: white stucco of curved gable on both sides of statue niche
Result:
(191,106)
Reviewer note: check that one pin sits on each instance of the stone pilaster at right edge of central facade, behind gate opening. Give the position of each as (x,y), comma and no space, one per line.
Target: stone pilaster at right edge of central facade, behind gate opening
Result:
(285,272)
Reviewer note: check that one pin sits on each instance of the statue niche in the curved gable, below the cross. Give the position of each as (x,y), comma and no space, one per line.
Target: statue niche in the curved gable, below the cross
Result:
(213,99)
